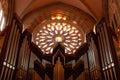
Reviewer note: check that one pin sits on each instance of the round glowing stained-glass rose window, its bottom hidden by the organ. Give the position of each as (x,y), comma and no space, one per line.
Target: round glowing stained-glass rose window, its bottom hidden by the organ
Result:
(51,34)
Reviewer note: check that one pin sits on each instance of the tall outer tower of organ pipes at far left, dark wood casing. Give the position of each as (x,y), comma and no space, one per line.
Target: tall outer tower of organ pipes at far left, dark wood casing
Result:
(11,50)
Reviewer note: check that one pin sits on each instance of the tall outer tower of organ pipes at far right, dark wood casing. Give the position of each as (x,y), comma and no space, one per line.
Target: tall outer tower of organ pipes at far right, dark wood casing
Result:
(108,61)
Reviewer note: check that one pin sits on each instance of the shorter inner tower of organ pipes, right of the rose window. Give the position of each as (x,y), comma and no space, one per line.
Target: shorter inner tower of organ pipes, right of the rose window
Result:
(93,59)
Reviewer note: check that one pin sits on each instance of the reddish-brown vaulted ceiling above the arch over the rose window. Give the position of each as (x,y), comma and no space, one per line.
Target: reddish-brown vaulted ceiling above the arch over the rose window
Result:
(92,7)
